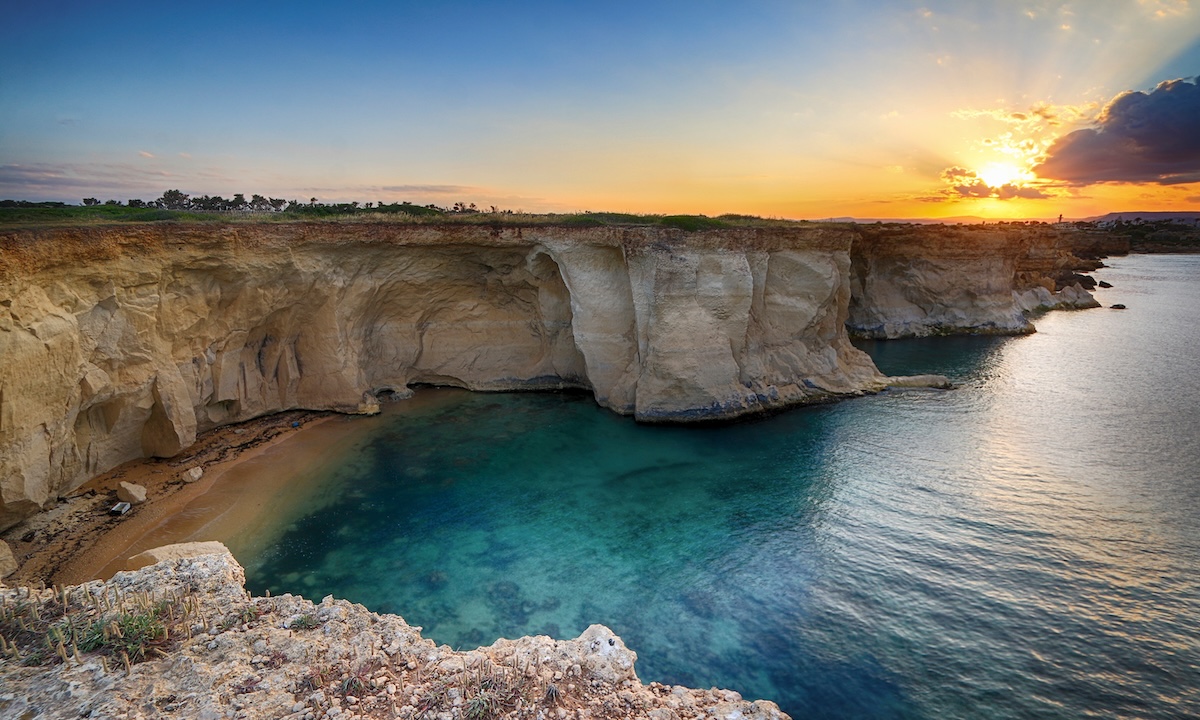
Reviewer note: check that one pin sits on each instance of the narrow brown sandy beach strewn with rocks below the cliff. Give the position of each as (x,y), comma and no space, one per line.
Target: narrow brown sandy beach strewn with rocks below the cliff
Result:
(76,541)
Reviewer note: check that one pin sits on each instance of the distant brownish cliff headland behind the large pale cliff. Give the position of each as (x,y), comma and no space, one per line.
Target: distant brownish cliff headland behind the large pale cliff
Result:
(913,281)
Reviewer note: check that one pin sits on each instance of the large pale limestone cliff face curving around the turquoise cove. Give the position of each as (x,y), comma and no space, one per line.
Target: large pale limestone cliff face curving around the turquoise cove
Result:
(127,343)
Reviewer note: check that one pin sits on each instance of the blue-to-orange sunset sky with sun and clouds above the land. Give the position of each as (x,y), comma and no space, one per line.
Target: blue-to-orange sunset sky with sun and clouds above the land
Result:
(866,109)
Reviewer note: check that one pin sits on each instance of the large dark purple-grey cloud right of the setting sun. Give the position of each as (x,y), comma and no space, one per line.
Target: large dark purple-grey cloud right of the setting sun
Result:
(1138,139)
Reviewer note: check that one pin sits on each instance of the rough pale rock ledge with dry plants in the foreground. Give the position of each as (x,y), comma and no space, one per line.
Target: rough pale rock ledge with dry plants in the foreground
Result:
(215,652)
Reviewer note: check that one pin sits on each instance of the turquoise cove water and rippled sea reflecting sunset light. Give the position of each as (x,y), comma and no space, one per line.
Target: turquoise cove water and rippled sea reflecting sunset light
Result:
(1027,545)
